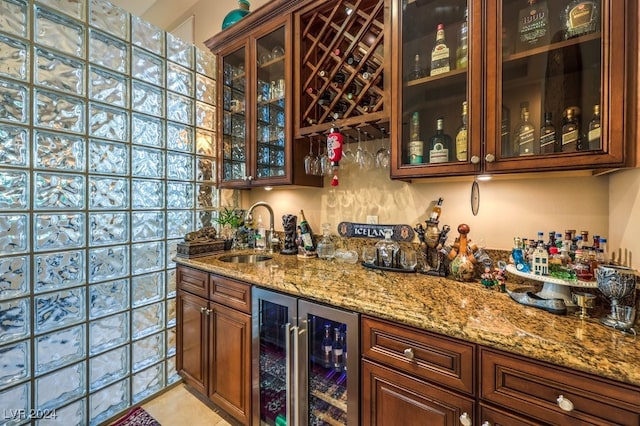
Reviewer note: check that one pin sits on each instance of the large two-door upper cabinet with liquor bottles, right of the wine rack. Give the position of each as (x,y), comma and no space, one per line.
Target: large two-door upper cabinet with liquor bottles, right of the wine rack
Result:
(512,86)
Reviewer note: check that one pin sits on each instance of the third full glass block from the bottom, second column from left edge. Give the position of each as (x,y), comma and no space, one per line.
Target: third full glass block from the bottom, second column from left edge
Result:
(55,310)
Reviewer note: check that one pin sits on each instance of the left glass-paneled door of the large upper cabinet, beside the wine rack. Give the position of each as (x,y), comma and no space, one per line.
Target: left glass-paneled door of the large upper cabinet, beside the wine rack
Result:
(437,98)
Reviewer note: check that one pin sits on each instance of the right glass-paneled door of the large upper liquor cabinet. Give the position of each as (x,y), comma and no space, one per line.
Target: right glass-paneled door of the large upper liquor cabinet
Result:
(555,84)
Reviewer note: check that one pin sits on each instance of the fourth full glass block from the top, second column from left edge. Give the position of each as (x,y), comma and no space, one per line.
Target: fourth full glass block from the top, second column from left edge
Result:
(59,151)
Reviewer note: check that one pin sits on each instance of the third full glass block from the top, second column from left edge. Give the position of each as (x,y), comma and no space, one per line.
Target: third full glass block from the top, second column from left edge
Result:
(59,112)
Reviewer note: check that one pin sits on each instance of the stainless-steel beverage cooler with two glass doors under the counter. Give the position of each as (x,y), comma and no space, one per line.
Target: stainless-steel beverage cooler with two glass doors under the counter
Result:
(305,362)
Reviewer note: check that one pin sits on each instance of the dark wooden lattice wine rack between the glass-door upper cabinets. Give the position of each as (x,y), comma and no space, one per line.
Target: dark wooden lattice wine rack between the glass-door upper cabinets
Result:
(341,65)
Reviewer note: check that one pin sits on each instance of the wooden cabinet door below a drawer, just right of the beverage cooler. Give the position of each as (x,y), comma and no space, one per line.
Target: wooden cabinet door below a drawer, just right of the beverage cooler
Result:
(393,398)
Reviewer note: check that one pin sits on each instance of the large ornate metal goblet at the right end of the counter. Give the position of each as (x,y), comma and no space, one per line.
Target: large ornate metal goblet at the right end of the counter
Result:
(615,282)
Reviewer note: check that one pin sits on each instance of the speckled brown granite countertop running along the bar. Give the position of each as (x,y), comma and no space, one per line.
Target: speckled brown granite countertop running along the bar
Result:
(466,311)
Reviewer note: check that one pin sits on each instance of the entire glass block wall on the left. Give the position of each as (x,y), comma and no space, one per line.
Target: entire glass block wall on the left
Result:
(106,161)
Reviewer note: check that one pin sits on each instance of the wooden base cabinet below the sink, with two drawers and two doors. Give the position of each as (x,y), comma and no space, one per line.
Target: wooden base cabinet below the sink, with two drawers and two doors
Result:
(214,339)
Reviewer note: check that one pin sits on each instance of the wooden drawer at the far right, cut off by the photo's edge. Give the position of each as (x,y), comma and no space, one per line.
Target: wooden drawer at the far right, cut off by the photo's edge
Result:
(533,388)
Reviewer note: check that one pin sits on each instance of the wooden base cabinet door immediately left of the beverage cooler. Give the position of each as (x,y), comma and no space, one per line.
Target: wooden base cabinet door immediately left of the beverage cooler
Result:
(230,361)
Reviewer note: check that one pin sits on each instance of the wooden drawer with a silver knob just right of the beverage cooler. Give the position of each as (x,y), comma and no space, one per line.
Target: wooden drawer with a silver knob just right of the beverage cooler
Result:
(430,356)
